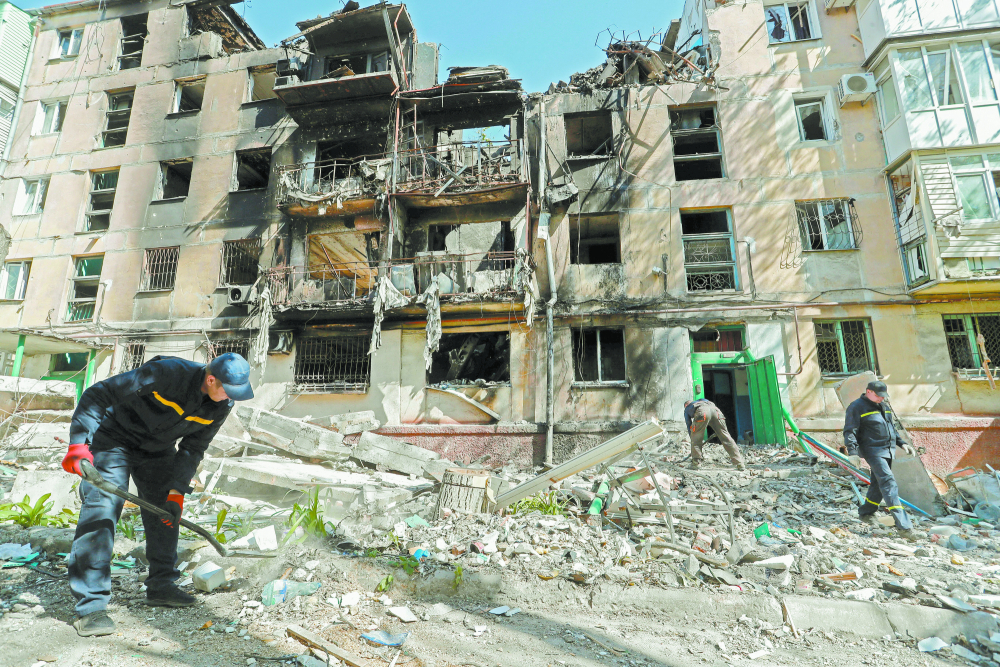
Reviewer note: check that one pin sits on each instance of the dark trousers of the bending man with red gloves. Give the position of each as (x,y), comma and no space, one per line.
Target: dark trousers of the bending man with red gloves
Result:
(93,544)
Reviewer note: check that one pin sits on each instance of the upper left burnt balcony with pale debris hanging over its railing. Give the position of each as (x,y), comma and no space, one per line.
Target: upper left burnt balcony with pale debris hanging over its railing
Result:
(333,187)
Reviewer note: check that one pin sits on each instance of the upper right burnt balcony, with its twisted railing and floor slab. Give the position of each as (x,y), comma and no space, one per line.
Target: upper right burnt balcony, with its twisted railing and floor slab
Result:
(462,174)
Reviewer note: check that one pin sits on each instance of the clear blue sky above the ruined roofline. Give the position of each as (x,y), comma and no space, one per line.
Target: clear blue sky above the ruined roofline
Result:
(539,41)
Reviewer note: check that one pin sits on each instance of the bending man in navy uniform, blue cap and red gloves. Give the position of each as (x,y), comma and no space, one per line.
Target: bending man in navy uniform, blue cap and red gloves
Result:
(127,426)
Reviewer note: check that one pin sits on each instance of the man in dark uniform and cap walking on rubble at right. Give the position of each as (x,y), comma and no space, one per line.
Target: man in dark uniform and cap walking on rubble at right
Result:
(868,429)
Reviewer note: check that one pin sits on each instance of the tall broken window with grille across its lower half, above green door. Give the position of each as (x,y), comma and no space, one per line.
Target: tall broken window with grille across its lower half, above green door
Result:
(709,251)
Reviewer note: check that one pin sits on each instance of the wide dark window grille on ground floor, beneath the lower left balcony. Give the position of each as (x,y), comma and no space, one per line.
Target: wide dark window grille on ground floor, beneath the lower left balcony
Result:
(333,364)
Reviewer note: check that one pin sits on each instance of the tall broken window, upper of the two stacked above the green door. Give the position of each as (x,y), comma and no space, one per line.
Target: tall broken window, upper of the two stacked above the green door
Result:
(697,144)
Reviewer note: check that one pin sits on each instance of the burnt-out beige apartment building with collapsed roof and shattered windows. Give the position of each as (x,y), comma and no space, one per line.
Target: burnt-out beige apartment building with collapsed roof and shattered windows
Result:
(708,212)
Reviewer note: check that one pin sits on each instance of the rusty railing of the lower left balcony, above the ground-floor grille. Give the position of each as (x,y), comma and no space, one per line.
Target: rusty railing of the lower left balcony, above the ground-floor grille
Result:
(329,283)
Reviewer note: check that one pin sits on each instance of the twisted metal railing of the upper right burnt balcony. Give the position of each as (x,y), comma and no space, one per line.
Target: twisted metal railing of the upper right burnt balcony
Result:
(460,167)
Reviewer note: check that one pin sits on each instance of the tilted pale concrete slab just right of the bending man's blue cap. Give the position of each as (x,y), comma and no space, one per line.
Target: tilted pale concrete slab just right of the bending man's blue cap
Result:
(291,435)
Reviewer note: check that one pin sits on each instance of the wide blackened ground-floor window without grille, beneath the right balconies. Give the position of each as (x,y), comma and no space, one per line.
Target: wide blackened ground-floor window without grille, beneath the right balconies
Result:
(471,358)
